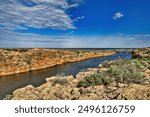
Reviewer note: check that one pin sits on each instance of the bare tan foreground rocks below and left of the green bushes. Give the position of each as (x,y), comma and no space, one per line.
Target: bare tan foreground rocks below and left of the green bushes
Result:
(66,88)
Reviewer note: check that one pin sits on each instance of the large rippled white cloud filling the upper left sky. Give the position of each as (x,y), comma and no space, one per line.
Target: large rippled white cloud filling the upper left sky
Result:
(14,14)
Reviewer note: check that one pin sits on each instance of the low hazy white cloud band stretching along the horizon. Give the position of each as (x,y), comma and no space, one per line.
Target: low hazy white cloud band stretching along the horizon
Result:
(70,41)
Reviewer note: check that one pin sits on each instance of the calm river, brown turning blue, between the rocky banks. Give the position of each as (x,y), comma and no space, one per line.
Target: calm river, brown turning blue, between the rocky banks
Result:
(12,82)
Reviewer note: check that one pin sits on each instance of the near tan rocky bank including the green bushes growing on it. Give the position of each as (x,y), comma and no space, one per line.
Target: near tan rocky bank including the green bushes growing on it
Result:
(114,80)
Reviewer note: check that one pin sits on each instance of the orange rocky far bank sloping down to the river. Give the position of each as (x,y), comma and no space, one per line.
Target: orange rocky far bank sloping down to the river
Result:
(22,60)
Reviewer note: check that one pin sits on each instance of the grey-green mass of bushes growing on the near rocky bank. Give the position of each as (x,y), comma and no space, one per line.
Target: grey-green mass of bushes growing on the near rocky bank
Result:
(120,71)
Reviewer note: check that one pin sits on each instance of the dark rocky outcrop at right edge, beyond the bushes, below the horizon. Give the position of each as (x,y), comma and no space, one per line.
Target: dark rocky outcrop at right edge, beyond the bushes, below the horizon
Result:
(141,53)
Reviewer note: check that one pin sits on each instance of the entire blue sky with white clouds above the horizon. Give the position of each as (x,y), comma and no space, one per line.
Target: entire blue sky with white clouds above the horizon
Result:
(74,23)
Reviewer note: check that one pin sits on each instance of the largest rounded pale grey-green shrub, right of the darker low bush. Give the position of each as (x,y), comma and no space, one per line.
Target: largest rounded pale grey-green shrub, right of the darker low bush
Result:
(126,71)
